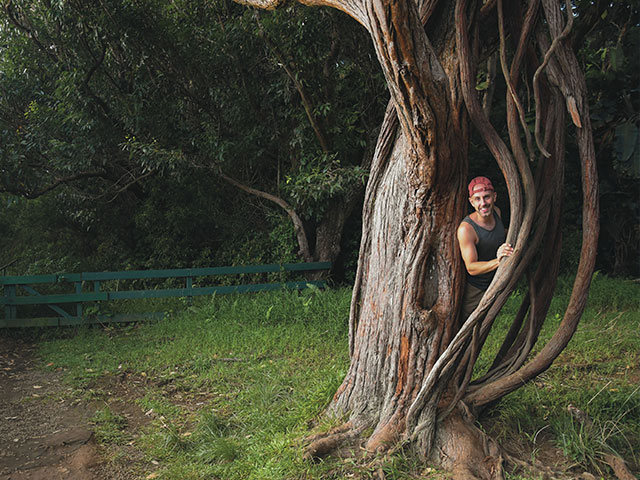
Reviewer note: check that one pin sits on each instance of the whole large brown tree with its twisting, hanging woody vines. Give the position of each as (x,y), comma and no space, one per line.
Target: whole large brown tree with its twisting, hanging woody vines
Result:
(411,360)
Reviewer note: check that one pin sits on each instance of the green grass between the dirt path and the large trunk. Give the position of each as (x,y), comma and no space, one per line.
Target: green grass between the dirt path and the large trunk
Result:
(257,368)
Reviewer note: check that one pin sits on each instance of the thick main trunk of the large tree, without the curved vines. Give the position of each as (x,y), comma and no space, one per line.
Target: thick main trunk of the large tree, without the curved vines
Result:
(409,280)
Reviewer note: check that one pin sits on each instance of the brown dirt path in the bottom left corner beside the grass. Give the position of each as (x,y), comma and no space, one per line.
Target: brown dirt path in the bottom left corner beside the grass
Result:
(44,432)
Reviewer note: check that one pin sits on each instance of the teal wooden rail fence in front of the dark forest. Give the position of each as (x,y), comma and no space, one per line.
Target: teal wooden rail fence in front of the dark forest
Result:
(74,290)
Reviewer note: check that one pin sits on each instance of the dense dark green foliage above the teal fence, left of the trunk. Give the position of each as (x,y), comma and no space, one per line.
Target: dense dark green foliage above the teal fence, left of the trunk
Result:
(113,107)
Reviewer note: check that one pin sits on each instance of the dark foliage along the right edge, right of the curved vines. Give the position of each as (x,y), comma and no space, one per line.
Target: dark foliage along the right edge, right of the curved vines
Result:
(608,48)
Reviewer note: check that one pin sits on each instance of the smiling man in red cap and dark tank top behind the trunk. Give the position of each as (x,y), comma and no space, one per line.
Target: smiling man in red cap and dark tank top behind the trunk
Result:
(482,237)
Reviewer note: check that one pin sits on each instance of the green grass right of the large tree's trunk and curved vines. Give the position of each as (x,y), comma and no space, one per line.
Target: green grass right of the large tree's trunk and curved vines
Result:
(588,403)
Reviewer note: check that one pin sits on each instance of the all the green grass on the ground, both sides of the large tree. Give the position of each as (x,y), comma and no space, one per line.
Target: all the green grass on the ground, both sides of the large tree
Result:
(233,384)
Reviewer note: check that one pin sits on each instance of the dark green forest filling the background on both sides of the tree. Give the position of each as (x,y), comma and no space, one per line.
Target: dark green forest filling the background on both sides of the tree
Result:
(151,134)
